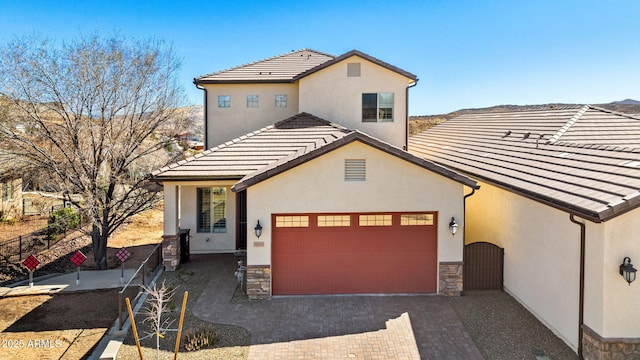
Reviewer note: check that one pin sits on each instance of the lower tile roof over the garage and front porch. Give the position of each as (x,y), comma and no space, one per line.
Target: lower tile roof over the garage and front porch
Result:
(267,152)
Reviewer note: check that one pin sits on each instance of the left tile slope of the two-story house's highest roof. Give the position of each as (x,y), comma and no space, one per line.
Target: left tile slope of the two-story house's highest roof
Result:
(281,68)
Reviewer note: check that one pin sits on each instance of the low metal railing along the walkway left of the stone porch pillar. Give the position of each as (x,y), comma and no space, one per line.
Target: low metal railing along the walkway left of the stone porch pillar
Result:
(145,272)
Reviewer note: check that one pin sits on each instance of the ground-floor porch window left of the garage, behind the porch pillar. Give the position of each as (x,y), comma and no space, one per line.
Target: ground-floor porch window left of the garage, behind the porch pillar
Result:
(212,210)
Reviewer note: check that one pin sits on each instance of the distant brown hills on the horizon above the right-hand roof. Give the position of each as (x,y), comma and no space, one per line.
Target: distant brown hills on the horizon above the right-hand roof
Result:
(422,122)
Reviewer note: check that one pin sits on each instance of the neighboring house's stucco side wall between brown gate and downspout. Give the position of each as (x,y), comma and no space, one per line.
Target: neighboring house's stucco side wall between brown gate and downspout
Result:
(542,254)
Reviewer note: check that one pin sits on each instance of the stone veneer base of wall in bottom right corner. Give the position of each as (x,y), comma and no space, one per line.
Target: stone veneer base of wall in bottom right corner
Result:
(595,347)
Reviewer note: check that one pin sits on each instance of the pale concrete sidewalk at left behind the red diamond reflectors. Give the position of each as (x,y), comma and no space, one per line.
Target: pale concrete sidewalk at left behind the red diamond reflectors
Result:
(89,280)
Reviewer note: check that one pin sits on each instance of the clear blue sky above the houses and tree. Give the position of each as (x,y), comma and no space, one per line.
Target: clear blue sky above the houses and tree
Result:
(466,53)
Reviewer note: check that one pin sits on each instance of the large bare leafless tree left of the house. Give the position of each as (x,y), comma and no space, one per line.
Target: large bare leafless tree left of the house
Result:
(95,116)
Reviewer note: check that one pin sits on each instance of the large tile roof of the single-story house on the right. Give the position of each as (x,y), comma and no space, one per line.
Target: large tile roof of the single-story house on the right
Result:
(582,160)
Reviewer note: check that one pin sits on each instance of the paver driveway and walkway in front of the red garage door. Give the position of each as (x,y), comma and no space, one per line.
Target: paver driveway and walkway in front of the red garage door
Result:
(309,326)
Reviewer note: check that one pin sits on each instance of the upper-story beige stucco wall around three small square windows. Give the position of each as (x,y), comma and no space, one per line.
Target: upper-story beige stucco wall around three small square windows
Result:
(229,123)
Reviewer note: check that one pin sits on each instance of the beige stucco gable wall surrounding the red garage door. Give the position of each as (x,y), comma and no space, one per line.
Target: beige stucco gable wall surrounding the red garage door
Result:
(319,186)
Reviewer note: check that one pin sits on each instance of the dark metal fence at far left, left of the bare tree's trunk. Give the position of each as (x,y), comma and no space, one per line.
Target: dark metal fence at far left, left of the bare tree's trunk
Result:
(16,249)
